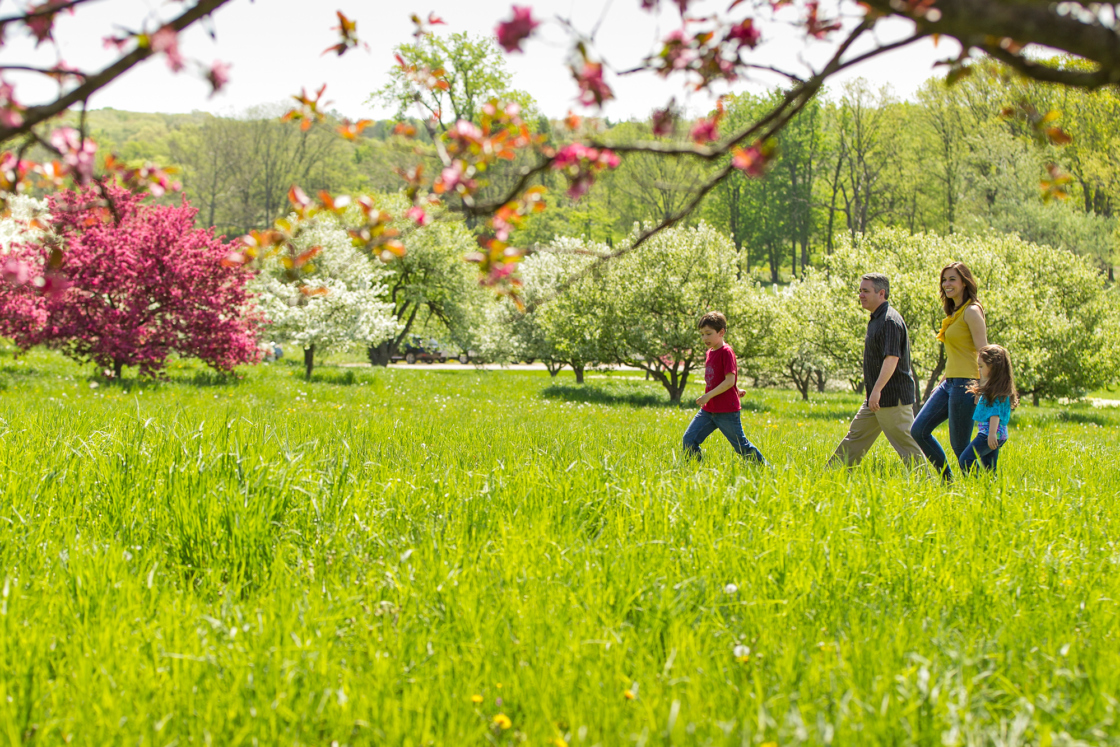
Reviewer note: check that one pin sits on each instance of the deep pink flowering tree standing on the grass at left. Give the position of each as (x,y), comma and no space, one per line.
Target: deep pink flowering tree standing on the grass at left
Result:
(130,286)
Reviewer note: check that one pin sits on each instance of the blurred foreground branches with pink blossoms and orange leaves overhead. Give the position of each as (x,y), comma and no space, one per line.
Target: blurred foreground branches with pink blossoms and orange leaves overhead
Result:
(714,46)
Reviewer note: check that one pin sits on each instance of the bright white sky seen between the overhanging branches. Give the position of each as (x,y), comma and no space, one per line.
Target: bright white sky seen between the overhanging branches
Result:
(275,48)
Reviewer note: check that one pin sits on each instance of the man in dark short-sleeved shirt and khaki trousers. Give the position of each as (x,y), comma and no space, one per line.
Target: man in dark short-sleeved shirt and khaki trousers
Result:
(889,408)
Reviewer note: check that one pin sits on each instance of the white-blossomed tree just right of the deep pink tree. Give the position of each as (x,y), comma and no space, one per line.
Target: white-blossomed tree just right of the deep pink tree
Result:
(329,297)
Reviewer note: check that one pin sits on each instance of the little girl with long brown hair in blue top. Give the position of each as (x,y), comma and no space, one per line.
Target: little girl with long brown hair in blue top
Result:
(995,397)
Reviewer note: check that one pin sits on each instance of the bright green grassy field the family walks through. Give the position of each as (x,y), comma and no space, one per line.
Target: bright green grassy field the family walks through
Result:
(470,558)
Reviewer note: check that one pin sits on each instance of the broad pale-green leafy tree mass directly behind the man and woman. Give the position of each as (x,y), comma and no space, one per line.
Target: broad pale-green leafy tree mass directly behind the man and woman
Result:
(1048,306)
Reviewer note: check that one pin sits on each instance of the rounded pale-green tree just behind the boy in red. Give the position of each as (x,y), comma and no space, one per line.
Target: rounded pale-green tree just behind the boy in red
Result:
(657,294)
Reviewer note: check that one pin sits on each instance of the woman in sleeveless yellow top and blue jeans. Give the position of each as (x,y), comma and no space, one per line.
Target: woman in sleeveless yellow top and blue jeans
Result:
(964,332)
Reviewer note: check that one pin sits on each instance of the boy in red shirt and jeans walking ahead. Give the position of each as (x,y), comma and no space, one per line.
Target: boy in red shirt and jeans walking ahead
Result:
(720,405)
